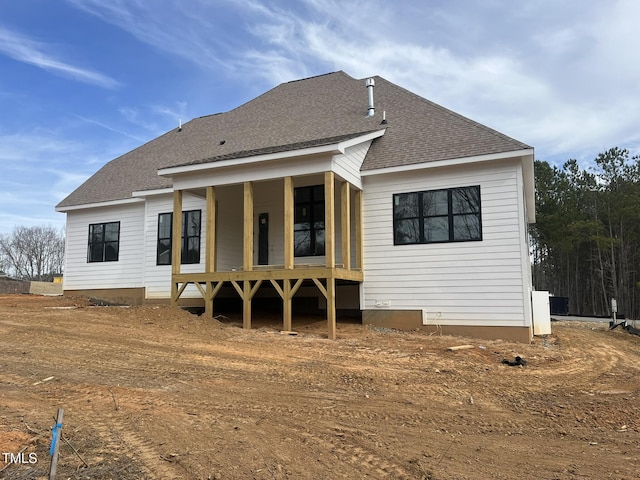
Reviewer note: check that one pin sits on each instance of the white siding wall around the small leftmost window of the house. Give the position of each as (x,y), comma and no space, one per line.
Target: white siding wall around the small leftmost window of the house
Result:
(127,271)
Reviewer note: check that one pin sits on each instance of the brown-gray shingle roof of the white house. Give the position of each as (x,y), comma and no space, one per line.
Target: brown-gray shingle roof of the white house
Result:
(310,112)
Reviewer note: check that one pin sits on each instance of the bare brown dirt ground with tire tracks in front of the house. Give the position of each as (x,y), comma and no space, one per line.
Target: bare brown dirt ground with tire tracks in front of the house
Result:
(158,393)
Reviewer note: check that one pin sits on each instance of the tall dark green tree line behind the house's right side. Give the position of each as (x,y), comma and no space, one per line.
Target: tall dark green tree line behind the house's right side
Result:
(585,244)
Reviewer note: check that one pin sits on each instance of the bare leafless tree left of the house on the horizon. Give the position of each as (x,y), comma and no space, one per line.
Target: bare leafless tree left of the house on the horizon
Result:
(33,253)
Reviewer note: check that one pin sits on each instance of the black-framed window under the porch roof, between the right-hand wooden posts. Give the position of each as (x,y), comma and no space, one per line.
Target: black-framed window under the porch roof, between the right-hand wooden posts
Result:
(308,228)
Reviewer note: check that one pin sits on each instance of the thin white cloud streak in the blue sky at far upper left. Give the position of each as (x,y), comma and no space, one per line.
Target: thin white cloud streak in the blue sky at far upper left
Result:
(26,50)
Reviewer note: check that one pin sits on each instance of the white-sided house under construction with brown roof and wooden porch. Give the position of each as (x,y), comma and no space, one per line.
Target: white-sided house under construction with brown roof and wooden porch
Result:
(350,194)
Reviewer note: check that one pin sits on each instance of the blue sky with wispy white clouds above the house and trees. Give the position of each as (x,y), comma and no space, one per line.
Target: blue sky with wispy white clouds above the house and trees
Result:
(84,81)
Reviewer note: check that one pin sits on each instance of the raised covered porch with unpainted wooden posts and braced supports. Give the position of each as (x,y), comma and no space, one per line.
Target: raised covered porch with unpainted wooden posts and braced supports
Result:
(278,232)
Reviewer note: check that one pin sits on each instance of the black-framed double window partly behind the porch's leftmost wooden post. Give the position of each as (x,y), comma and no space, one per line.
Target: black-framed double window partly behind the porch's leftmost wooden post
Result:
(190,240)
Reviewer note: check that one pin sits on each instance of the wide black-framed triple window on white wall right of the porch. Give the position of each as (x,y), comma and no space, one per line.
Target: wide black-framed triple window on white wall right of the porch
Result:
(435,216)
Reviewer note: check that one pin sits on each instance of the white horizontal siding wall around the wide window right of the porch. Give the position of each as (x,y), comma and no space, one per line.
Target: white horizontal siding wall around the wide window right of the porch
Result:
(480,282)
